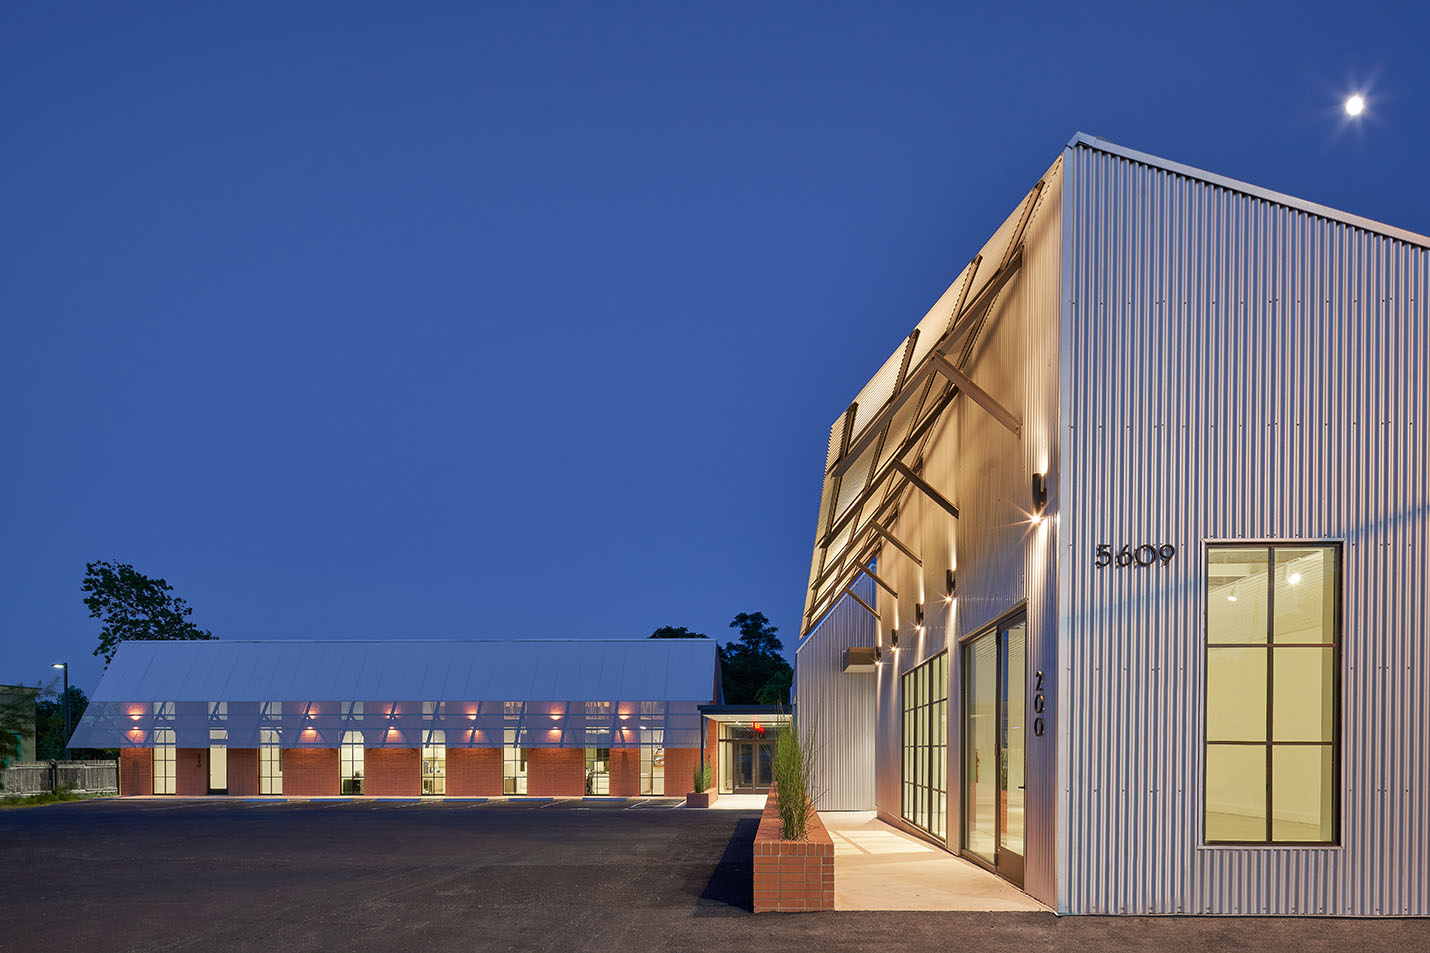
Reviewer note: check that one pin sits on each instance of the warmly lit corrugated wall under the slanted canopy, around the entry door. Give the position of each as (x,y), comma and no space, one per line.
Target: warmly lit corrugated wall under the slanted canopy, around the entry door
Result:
(1000,557)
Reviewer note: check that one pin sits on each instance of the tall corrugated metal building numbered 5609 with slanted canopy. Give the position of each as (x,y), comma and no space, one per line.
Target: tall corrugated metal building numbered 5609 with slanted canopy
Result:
(1140,512)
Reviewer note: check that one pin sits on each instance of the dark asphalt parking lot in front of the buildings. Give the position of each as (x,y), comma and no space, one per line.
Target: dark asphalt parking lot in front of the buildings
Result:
(461,876)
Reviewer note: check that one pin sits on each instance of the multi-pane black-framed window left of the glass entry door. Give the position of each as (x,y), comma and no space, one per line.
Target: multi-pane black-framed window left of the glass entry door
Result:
(926,745)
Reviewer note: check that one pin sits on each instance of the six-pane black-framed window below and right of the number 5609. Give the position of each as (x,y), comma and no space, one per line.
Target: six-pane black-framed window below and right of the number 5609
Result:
(1272,693)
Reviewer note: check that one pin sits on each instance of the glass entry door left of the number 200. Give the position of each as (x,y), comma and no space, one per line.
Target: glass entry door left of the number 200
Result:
(995,715)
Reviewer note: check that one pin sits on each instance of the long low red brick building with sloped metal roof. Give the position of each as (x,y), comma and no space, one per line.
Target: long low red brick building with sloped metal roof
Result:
(401,719)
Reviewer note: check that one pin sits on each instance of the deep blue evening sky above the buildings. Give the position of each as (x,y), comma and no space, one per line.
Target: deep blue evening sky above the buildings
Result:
(480,321)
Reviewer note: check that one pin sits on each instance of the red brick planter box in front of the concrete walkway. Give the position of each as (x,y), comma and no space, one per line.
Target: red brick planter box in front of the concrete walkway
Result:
(793,876)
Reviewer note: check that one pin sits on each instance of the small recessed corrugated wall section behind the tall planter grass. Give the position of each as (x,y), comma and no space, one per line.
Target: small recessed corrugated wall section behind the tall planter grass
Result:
(839,708)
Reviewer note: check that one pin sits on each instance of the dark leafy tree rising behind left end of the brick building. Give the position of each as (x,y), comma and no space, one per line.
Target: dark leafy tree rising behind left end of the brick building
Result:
(135,609)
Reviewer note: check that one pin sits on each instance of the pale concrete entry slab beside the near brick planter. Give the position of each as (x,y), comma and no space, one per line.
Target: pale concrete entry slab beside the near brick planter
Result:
(880,868)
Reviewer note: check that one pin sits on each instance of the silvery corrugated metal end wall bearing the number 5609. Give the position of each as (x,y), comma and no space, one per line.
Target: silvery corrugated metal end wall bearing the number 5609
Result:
(1236,368)
